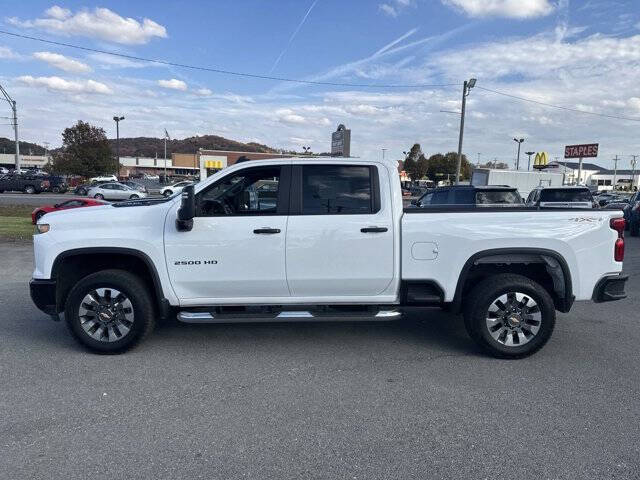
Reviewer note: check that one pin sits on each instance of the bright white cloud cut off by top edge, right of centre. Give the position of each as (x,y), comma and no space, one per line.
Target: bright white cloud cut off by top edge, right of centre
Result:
(503,8)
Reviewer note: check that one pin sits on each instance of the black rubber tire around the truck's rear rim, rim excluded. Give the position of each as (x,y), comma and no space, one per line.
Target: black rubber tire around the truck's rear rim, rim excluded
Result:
(476,307)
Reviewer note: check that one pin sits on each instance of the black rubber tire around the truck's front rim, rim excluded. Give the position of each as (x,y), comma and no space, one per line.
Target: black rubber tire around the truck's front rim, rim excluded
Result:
(135,290)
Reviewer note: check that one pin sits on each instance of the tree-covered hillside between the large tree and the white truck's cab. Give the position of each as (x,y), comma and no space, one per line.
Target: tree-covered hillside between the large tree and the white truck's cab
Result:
(149,146)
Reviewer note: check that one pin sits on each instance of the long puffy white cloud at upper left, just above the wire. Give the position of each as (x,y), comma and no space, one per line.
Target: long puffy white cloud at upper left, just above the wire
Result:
(100,23)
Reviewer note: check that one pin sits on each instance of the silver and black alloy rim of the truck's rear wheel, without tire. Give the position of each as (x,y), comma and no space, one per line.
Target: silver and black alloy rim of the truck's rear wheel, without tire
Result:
(513,319)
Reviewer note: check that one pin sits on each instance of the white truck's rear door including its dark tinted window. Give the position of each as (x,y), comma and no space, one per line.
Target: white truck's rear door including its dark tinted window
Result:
(340,235)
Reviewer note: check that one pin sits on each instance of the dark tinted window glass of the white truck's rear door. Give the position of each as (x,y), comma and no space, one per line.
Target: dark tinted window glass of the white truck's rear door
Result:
(337,189)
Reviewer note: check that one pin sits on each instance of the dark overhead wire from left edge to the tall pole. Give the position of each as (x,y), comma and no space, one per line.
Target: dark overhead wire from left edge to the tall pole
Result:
(222,71)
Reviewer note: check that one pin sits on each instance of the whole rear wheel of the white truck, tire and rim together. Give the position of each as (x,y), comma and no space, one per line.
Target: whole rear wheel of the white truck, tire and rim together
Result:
(509,316)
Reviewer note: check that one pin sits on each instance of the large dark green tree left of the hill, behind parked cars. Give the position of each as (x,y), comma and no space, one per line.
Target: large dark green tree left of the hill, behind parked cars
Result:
(85,152)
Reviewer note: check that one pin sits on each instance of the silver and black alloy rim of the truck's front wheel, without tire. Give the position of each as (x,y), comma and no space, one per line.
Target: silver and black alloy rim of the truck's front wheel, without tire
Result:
(106,314)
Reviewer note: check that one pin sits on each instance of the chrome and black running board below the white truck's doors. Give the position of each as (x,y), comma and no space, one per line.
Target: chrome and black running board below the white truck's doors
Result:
(288,316)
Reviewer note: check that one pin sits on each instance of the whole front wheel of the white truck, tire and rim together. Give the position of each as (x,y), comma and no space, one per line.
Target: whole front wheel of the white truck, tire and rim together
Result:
(109,311)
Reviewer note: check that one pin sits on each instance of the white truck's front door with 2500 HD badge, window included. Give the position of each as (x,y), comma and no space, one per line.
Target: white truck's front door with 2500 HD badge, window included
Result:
(236,249)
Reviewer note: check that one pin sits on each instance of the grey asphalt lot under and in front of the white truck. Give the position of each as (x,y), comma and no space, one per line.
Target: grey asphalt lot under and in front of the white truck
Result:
(412,399)
